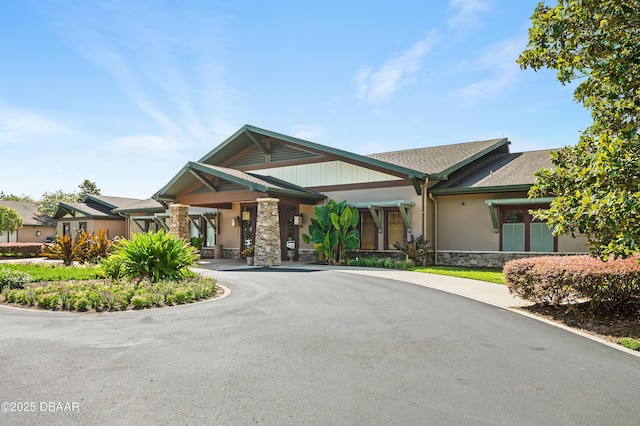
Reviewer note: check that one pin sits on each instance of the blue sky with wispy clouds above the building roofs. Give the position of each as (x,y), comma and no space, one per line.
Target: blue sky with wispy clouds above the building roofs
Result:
(124,93)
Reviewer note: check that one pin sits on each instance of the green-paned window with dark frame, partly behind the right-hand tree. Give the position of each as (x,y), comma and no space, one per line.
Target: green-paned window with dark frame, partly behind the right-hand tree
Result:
(520,232)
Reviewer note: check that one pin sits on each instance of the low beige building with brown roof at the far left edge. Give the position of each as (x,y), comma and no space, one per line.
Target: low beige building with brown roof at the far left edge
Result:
(36,226)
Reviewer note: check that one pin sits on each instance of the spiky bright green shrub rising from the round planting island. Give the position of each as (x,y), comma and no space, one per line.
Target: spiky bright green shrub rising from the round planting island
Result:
(154,255)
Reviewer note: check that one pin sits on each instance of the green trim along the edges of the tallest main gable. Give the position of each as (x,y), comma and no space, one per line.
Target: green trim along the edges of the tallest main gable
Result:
(318,147)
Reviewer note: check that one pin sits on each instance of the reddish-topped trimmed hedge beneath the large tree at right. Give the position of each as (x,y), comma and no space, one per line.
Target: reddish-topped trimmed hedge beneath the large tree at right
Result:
(563,279)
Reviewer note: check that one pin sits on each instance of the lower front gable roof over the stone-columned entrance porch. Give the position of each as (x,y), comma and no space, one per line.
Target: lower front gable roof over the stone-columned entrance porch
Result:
(251,181)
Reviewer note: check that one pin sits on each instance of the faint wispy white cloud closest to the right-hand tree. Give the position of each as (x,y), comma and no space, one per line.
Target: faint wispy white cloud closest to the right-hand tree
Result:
(498,63)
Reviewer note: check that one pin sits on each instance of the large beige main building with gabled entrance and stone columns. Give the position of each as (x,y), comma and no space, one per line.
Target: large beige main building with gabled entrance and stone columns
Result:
(469,199)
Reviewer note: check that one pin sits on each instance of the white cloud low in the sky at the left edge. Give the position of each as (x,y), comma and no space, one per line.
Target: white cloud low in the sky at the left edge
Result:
(23,126)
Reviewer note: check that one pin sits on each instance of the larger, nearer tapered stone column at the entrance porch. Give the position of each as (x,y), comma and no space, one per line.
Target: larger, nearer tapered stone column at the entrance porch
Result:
(267,251)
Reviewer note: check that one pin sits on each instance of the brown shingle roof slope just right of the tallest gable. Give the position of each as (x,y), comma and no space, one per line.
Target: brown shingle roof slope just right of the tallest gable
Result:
(439,159)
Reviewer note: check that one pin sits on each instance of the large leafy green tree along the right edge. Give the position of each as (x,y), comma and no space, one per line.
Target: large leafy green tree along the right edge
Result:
(597,182)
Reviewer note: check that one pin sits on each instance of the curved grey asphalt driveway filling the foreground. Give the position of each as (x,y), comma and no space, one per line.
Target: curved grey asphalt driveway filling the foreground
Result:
(312,348)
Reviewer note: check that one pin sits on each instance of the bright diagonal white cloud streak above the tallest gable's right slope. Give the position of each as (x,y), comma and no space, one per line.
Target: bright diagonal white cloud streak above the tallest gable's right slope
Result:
(378,86)
